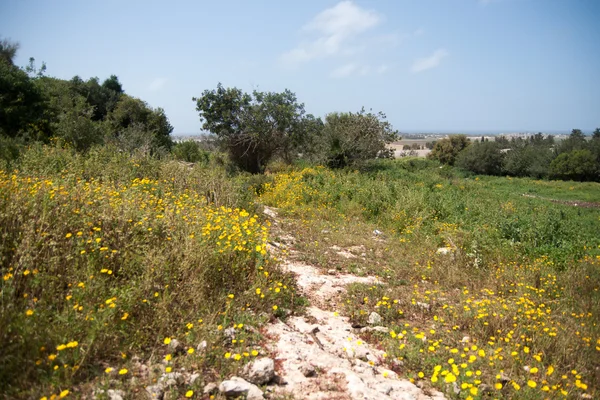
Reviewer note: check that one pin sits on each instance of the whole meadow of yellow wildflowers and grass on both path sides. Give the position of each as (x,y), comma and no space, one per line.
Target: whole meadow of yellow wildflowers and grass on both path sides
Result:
(107,260)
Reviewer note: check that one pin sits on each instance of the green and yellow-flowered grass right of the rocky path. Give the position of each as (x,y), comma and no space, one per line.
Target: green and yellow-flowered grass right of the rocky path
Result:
(510,312)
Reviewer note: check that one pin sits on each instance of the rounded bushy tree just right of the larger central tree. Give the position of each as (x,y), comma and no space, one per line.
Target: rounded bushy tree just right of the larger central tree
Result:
(351,138)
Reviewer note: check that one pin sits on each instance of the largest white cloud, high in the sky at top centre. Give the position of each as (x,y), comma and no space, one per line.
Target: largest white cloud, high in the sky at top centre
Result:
(335,27)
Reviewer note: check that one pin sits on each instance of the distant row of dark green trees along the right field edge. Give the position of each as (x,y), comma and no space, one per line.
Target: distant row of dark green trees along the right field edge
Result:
(538,156)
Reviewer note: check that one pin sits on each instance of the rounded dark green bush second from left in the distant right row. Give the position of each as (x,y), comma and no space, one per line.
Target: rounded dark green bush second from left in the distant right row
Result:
(481,158)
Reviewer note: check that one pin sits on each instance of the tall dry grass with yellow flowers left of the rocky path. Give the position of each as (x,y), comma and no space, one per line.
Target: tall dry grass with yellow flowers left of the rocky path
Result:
(104,255)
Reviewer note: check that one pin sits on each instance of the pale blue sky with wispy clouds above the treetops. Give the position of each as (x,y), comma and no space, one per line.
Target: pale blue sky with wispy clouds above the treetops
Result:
(445,65)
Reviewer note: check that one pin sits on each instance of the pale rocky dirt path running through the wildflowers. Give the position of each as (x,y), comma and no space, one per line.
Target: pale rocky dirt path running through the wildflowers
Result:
(320,355)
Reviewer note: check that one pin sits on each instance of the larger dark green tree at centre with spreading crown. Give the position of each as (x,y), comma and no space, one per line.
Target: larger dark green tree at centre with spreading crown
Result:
(253,127)
